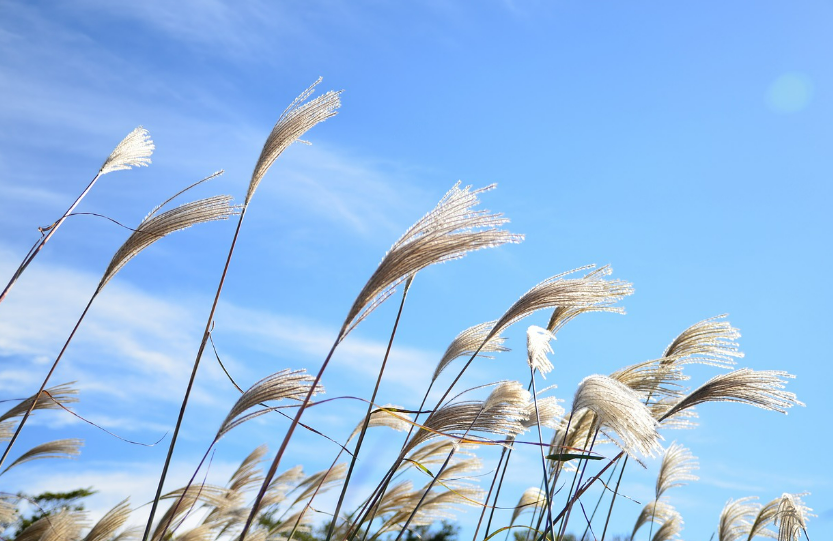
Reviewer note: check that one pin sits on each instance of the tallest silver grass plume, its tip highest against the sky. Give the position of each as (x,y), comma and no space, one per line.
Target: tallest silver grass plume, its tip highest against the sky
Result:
(300,116)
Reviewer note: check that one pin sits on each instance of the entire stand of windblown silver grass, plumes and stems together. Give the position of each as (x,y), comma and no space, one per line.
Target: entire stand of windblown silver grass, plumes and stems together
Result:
(625,409)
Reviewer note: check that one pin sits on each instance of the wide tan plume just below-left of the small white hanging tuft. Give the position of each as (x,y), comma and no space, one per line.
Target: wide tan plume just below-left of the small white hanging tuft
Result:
(501,413)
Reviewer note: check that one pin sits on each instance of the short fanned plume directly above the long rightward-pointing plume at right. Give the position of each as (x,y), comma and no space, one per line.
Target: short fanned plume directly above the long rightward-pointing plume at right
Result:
(711,342)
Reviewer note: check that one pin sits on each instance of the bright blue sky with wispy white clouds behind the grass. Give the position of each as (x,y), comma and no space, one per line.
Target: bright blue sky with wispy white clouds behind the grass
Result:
(686,144)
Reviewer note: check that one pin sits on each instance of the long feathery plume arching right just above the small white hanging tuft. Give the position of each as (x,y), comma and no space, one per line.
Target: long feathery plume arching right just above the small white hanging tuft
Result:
(557,291)
